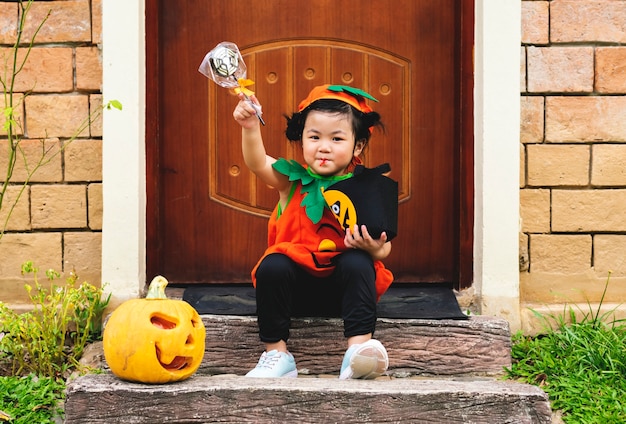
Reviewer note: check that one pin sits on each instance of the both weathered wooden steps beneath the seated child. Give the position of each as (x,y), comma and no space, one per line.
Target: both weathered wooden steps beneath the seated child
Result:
(441,371)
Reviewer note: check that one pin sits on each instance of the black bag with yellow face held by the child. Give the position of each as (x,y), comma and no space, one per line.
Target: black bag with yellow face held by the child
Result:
(368,198)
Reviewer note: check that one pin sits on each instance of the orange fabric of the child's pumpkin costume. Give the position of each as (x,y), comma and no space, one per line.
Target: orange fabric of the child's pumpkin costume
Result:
(312,246)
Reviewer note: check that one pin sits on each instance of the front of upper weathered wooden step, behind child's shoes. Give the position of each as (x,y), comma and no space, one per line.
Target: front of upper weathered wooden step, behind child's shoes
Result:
(477,346)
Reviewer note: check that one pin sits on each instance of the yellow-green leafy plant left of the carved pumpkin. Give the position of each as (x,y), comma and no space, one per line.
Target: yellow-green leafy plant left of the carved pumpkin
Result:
(49,340)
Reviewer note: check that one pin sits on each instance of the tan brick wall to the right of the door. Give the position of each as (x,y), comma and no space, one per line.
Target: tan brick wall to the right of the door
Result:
(573,134)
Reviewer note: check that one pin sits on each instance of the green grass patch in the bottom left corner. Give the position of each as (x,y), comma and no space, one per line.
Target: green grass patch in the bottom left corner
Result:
(31,399)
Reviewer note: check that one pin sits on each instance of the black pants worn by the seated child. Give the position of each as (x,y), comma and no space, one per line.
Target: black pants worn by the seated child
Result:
(284,290)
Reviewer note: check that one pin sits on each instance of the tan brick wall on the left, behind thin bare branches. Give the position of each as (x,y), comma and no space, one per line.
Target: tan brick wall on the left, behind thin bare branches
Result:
(58,221)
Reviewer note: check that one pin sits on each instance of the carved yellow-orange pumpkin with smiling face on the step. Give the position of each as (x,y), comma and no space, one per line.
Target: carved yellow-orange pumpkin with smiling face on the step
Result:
(154,340)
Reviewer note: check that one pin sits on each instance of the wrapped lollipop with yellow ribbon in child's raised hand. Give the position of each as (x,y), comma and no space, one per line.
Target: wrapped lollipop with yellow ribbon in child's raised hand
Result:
(225,66)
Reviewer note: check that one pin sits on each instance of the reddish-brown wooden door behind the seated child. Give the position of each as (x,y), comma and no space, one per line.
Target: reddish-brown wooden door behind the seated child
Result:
(207,214)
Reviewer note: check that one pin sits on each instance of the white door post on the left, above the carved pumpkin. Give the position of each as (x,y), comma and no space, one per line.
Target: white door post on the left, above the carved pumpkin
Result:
(124,174)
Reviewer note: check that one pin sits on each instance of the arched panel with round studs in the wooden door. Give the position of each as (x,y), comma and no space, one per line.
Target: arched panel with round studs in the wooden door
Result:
(309,63)
